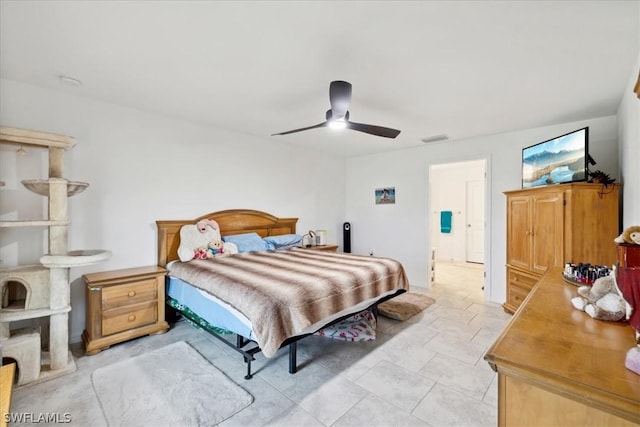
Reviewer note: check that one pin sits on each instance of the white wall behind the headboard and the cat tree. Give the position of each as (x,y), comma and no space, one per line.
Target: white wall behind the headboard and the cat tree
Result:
(143,167)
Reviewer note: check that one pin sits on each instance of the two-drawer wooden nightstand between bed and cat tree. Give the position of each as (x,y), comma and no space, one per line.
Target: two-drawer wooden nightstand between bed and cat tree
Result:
(123,304)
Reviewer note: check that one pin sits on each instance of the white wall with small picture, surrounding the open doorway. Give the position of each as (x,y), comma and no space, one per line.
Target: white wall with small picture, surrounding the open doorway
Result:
(402,230)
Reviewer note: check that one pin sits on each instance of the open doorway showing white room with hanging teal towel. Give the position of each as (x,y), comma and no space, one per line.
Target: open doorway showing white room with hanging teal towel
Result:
(457,223)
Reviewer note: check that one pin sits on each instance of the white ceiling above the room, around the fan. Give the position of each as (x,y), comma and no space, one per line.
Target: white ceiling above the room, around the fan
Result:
(259,67)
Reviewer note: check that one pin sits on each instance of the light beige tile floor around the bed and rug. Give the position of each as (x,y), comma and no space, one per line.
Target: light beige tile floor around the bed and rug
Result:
(427,371)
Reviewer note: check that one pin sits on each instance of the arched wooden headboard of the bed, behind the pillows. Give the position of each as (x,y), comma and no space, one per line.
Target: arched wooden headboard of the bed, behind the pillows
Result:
(233,221)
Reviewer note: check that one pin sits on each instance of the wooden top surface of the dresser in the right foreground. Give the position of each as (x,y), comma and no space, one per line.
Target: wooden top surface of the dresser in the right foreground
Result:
(552,345)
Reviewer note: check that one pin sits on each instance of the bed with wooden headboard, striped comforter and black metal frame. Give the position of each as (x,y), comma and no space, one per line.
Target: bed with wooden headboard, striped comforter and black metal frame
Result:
(270,299)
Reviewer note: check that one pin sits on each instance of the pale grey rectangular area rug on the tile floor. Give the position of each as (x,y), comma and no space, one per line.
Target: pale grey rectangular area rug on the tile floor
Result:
(173,385)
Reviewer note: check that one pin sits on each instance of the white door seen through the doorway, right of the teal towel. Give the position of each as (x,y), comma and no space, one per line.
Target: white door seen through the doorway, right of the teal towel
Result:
(475,221)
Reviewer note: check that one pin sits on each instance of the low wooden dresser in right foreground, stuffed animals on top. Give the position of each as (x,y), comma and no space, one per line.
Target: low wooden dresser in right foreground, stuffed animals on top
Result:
(559,367)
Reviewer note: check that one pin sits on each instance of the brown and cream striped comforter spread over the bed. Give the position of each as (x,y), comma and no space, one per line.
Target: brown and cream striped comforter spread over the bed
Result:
(284,292)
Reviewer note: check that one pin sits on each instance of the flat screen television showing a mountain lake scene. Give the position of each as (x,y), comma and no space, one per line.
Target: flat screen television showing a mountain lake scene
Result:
(557,160)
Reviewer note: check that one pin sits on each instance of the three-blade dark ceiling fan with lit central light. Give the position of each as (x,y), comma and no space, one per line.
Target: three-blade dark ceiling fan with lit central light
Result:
(338,115)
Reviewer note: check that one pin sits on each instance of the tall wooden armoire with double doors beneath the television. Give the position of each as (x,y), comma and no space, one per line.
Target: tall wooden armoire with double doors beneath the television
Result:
(552,225)
